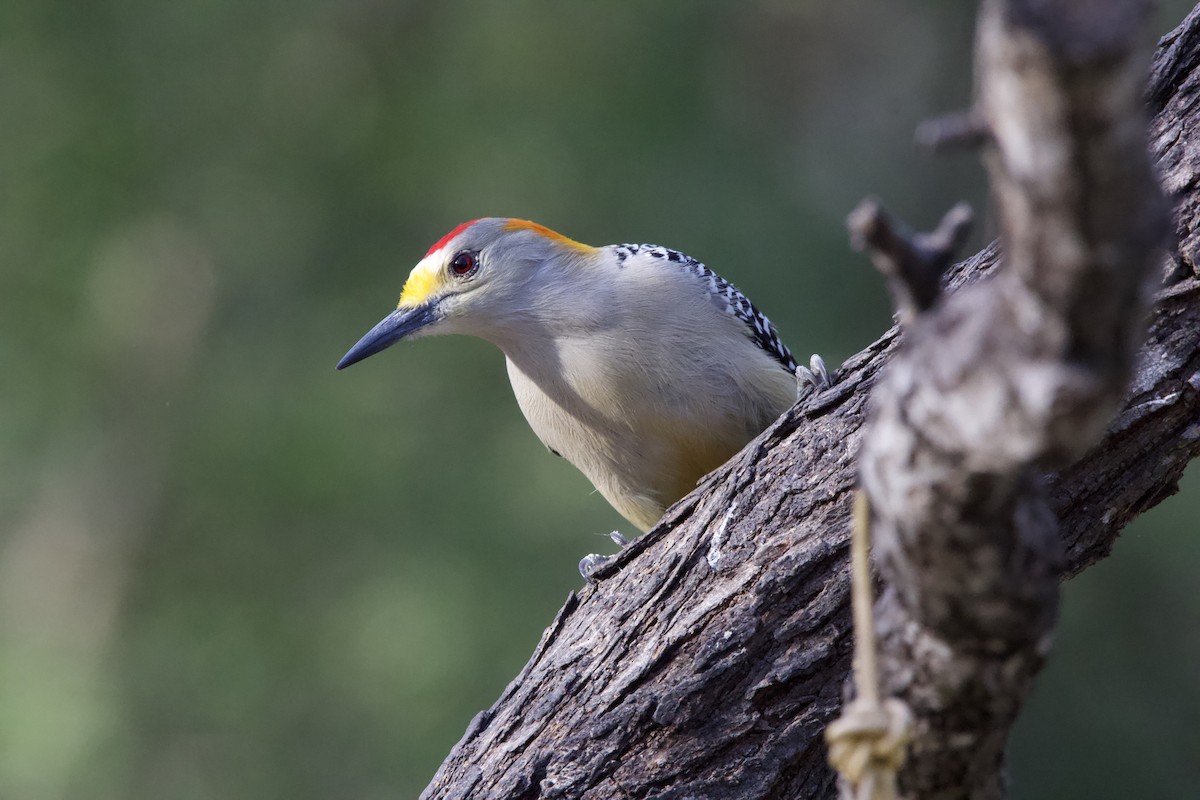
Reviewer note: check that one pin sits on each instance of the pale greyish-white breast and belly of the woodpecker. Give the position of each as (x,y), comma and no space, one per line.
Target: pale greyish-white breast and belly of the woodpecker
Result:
(646,384)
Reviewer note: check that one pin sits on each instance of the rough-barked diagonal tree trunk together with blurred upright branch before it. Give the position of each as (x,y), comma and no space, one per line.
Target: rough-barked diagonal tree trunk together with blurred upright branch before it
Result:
(1015,429)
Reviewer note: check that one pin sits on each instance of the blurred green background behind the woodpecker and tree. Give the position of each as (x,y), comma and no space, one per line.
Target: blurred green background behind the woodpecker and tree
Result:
(227,572)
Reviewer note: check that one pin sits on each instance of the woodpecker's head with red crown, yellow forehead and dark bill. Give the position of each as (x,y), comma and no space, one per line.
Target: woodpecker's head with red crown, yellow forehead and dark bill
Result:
(478,280)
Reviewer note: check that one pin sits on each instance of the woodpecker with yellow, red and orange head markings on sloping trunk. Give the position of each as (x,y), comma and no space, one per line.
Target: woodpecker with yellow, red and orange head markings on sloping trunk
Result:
(637,364)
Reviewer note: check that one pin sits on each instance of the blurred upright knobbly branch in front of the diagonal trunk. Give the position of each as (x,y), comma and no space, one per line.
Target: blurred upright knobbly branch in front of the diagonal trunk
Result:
(1007,378)
